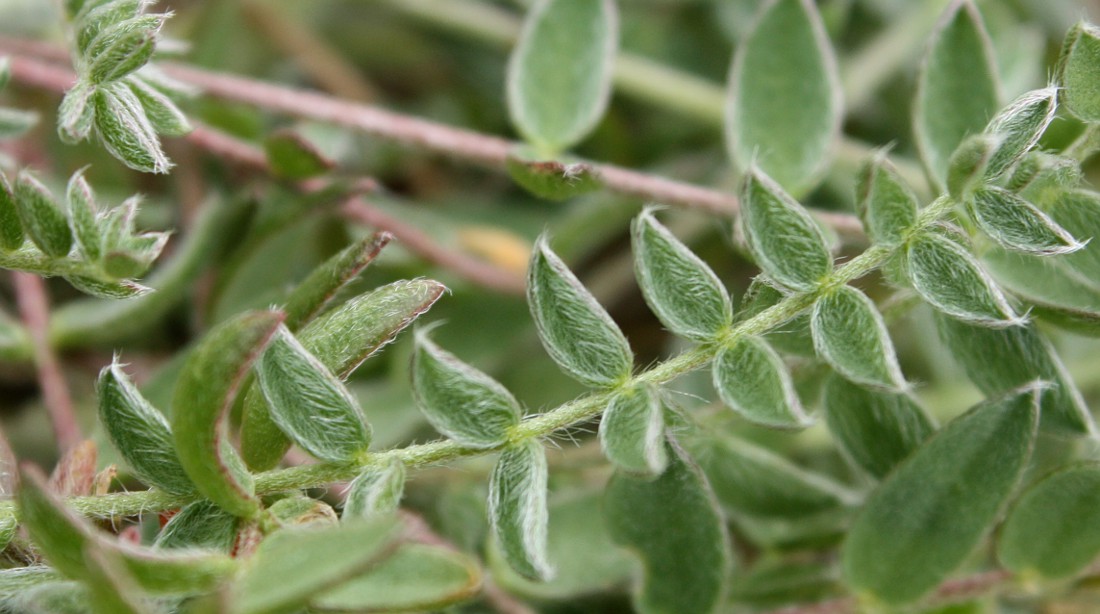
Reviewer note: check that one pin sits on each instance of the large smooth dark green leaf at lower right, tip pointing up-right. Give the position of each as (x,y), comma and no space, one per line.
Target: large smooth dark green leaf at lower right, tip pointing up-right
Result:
(930,514)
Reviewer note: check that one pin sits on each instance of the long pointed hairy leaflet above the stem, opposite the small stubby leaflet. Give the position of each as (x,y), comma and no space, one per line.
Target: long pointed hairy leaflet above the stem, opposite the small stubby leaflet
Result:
(576,331)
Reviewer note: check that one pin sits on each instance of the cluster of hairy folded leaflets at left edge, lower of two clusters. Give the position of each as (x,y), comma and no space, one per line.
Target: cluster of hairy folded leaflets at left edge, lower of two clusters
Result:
(98,251)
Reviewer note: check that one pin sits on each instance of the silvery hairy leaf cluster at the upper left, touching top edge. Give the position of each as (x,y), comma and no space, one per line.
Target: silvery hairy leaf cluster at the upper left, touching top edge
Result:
(116,94)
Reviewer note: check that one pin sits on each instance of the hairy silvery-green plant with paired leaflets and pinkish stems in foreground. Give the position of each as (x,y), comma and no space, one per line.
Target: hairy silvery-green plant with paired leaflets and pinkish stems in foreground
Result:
(994,245)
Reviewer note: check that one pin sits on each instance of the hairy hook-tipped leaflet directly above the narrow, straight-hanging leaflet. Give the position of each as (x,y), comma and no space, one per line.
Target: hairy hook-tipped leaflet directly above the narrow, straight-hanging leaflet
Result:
(461,402)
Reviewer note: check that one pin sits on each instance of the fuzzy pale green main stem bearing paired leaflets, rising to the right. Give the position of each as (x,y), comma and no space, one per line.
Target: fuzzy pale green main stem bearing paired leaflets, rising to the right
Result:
(578,411)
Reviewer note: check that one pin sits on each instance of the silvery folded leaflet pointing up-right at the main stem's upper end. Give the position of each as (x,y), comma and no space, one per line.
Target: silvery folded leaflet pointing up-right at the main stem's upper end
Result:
(1019,127)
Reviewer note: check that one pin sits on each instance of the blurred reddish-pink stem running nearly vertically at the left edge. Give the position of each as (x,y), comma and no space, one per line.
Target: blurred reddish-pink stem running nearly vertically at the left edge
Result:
(35,310)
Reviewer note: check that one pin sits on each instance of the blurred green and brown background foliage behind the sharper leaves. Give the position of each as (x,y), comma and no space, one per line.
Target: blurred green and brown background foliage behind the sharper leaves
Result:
(445,61)
